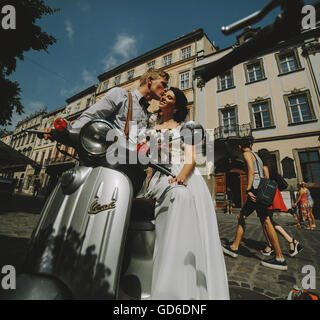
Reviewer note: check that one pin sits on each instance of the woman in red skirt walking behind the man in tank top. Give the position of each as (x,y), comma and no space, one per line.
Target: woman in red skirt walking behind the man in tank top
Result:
(270,172)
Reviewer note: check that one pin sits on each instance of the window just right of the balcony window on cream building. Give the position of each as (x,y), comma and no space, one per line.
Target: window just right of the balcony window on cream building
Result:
(261,114)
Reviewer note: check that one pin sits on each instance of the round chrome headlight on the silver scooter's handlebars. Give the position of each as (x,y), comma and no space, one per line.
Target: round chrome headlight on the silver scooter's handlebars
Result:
(93,137)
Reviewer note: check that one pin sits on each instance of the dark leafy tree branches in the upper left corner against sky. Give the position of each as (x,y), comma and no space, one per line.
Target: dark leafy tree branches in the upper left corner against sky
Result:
(23,35)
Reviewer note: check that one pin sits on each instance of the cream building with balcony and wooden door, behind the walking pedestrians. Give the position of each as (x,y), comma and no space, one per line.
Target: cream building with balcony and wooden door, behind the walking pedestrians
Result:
(275,99)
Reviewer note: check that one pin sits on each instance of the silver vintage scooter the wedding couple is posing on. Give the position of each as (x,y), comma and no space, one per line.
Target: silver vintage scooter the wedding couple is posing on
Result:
(94,240)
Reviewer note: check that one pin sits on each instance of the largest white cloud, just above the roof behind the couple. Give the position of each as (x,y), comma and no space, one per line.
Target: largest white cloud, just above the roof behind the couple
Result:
(124,48)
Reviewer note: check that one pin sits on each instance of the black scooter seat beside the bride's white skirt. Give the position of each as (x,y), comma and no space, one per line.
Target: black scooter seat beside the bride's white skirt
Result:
(142,213)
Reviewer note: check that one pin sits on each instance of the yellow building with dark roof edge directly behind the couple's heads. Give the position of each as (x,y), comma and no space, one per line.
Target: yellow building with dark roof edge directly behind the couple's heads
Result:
(177,58)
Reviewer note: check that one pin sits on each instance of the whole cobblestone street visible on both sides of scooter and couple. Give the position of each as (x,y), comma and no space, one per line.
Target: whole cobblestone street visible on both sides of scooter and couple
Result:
(247,278)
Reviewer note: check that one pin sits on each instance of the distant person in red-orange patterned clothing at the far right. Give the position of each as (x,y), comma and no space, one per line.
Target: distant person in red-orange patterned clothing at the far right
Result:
(305,206)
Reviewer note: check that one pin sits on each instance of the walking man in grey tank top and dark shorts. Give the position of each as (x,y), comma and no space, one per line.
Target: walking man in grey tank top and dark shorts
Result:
(255,174)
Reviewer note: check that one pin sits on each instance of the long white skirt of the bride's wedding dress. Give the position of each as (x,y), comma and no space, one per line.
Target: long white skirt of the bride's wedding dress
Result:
(188,259)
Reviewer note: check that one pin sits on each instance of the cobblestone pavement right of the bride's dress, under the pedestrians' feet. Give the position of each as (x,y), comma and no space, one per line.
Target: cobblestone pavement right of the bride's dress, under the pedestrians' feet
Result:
(246,271)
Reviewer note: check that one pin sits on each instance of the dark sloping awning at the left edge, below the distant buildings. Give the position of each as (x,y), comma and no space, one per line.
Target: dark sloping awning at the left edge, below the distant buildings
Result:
(12,160)
